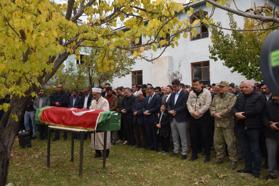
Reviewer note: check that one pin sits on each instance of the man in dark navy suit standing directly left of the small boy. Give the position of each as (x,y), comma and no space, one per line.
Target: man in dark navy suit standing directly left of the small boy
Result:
(151,109)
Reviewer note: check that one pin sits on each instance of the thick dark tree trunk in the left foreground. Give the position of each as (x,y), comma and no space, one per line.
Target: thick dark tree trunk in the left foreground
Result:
(8,131)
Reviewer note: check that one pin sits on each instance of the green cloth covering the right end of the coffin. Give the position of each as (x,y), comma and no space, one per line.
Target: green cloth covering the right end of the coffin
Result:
(109,121)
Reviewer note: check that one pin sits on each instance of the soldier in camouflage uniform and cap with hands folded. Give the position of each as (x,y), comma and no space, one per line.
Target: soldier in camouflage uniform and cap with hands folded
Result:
(220,109)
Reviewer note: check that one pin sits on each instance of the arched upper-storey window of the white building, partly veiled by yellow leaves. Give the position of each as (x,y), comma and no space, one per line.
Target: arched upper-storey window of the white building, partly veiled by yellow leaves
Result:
(200,30)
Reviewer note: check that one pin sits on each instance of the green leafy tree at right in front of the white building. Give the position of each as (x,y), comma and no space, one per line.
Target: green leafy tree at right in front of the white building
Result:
(240,49)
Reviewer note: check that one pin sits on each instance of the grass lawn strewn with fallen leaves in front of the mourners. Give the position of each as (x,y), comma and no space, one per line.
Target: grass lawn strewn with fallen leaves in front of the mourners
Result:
(125,166)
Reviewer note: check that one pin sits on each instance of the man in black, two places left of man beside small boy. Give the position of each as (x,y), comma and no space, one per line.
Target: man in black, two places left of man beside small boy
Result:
(127,115)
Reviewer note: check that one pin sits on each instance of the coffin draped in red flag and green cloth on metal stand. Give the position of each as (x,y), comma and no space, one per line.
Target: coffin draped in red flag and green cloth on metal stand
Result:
(89,119)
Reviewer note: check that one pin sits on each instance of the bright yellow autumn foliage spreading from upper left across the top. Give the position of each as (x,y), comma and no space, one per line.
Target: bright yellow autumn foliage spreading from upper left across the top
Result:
(33,33)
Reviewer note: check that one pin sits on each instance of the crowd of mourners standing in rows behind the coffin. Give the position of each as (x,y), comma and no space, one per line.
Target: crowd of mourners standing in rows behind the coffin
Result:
(239,122)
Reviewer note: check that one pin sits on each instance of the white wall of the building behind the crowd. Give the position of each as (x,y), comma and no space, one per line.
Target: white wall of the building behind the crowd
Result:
(189,52)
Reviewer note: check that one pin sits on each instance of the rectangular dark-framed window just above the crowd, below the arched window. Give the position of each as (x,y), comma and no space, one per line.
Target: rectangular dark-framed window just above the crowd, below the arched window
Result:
(200,71)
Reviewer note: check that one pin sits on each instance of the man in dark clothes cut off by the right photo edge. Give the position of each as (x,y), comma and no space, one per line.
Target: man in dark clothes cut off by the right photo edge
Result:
(272,135)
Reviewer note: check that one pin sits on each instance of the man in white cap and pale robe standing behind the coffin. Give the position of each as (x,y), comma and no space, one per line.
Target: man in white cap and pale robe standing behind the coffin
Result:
(97,139)
